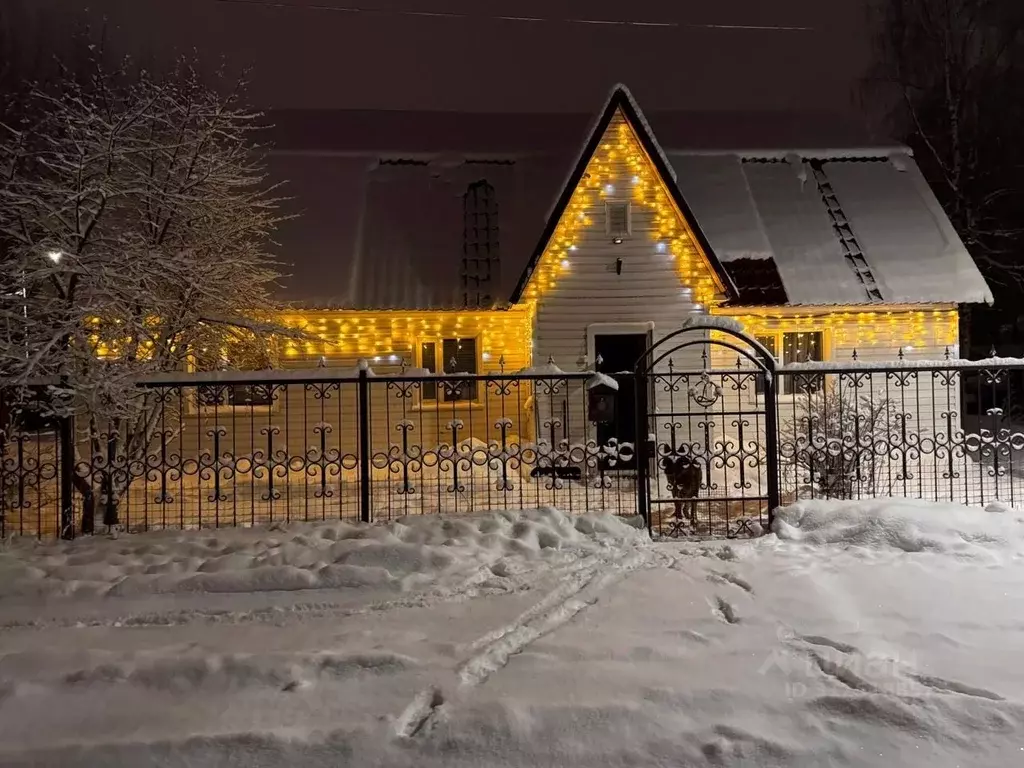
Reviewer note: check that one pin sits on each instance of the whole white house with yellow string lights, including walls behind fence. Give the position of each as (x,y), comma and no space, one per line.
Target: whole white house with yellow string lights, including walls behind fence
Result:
(499,244)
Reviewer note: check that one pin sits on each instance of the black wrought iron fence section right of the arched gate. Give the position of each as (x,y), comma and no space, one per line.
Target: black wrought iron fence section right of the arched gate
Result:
(951,432)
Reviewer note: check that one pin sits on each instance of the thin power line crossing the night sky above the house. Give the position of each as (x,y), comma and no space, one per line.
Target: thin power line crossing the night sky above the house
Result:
(523,20)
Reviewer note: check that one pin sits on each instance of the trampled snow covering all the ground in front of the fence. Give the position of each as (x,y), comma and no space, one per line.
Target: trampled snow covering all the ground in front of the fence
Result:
(860,634)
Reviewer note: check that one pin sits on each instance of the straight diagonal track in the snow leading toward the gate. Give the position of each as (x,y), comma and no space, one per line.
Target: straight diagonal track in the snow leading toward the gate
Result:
(558,609)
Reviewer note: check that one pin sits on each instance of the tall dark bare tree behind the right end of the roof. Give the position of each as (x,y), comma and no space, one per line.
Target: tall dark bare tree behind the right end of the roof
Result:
(950,74)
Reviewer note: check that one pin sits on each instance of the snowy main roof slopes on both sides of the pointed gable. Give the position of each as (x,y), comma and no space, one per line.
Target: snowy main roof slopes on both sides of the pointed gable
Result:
(381,224)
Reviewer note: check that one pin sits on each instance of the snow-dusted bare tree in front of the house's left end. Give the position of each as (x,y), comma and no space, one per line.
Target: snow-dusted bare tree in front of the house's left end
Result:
(136,217)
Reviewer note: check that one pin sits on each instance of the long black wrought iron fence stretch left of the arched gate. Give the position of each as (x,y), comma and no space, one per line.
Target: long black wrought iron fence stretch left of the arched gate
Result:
(311,446)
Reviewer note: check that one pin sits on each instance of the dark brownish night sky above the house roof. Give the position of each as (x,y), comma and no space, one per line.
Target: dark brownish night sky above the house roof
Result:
(305,58)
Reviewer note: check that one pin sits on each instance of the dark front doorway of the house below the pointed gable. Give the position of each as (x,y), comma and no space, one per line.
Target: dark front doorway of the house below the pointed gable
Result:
(617,356)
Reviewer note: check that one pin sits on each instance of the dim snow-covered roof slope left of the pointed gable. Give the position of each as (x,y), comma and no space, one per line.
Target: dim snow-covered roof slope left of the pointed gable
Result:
(373,234)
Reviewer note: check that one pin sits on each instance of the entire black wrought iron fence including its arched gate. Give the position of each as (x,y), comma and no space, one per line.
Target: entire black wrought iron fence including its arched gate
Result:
(241,449)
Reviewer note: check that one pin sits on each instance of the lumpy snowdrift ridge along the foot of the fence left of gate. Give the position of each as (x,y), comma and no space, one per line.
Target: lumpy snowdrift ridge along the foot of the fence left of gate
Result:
(405,554)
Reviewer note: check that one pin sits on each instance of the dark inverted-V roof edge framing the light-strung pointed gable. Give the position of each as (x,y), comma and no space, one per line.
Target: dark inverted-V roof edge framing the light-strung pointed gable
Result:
(622,102)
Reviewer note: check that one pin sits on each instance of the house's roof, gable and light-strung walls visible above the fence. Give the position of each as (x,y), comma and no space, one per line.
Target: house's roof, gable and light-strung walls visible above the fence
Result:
(466,257)
